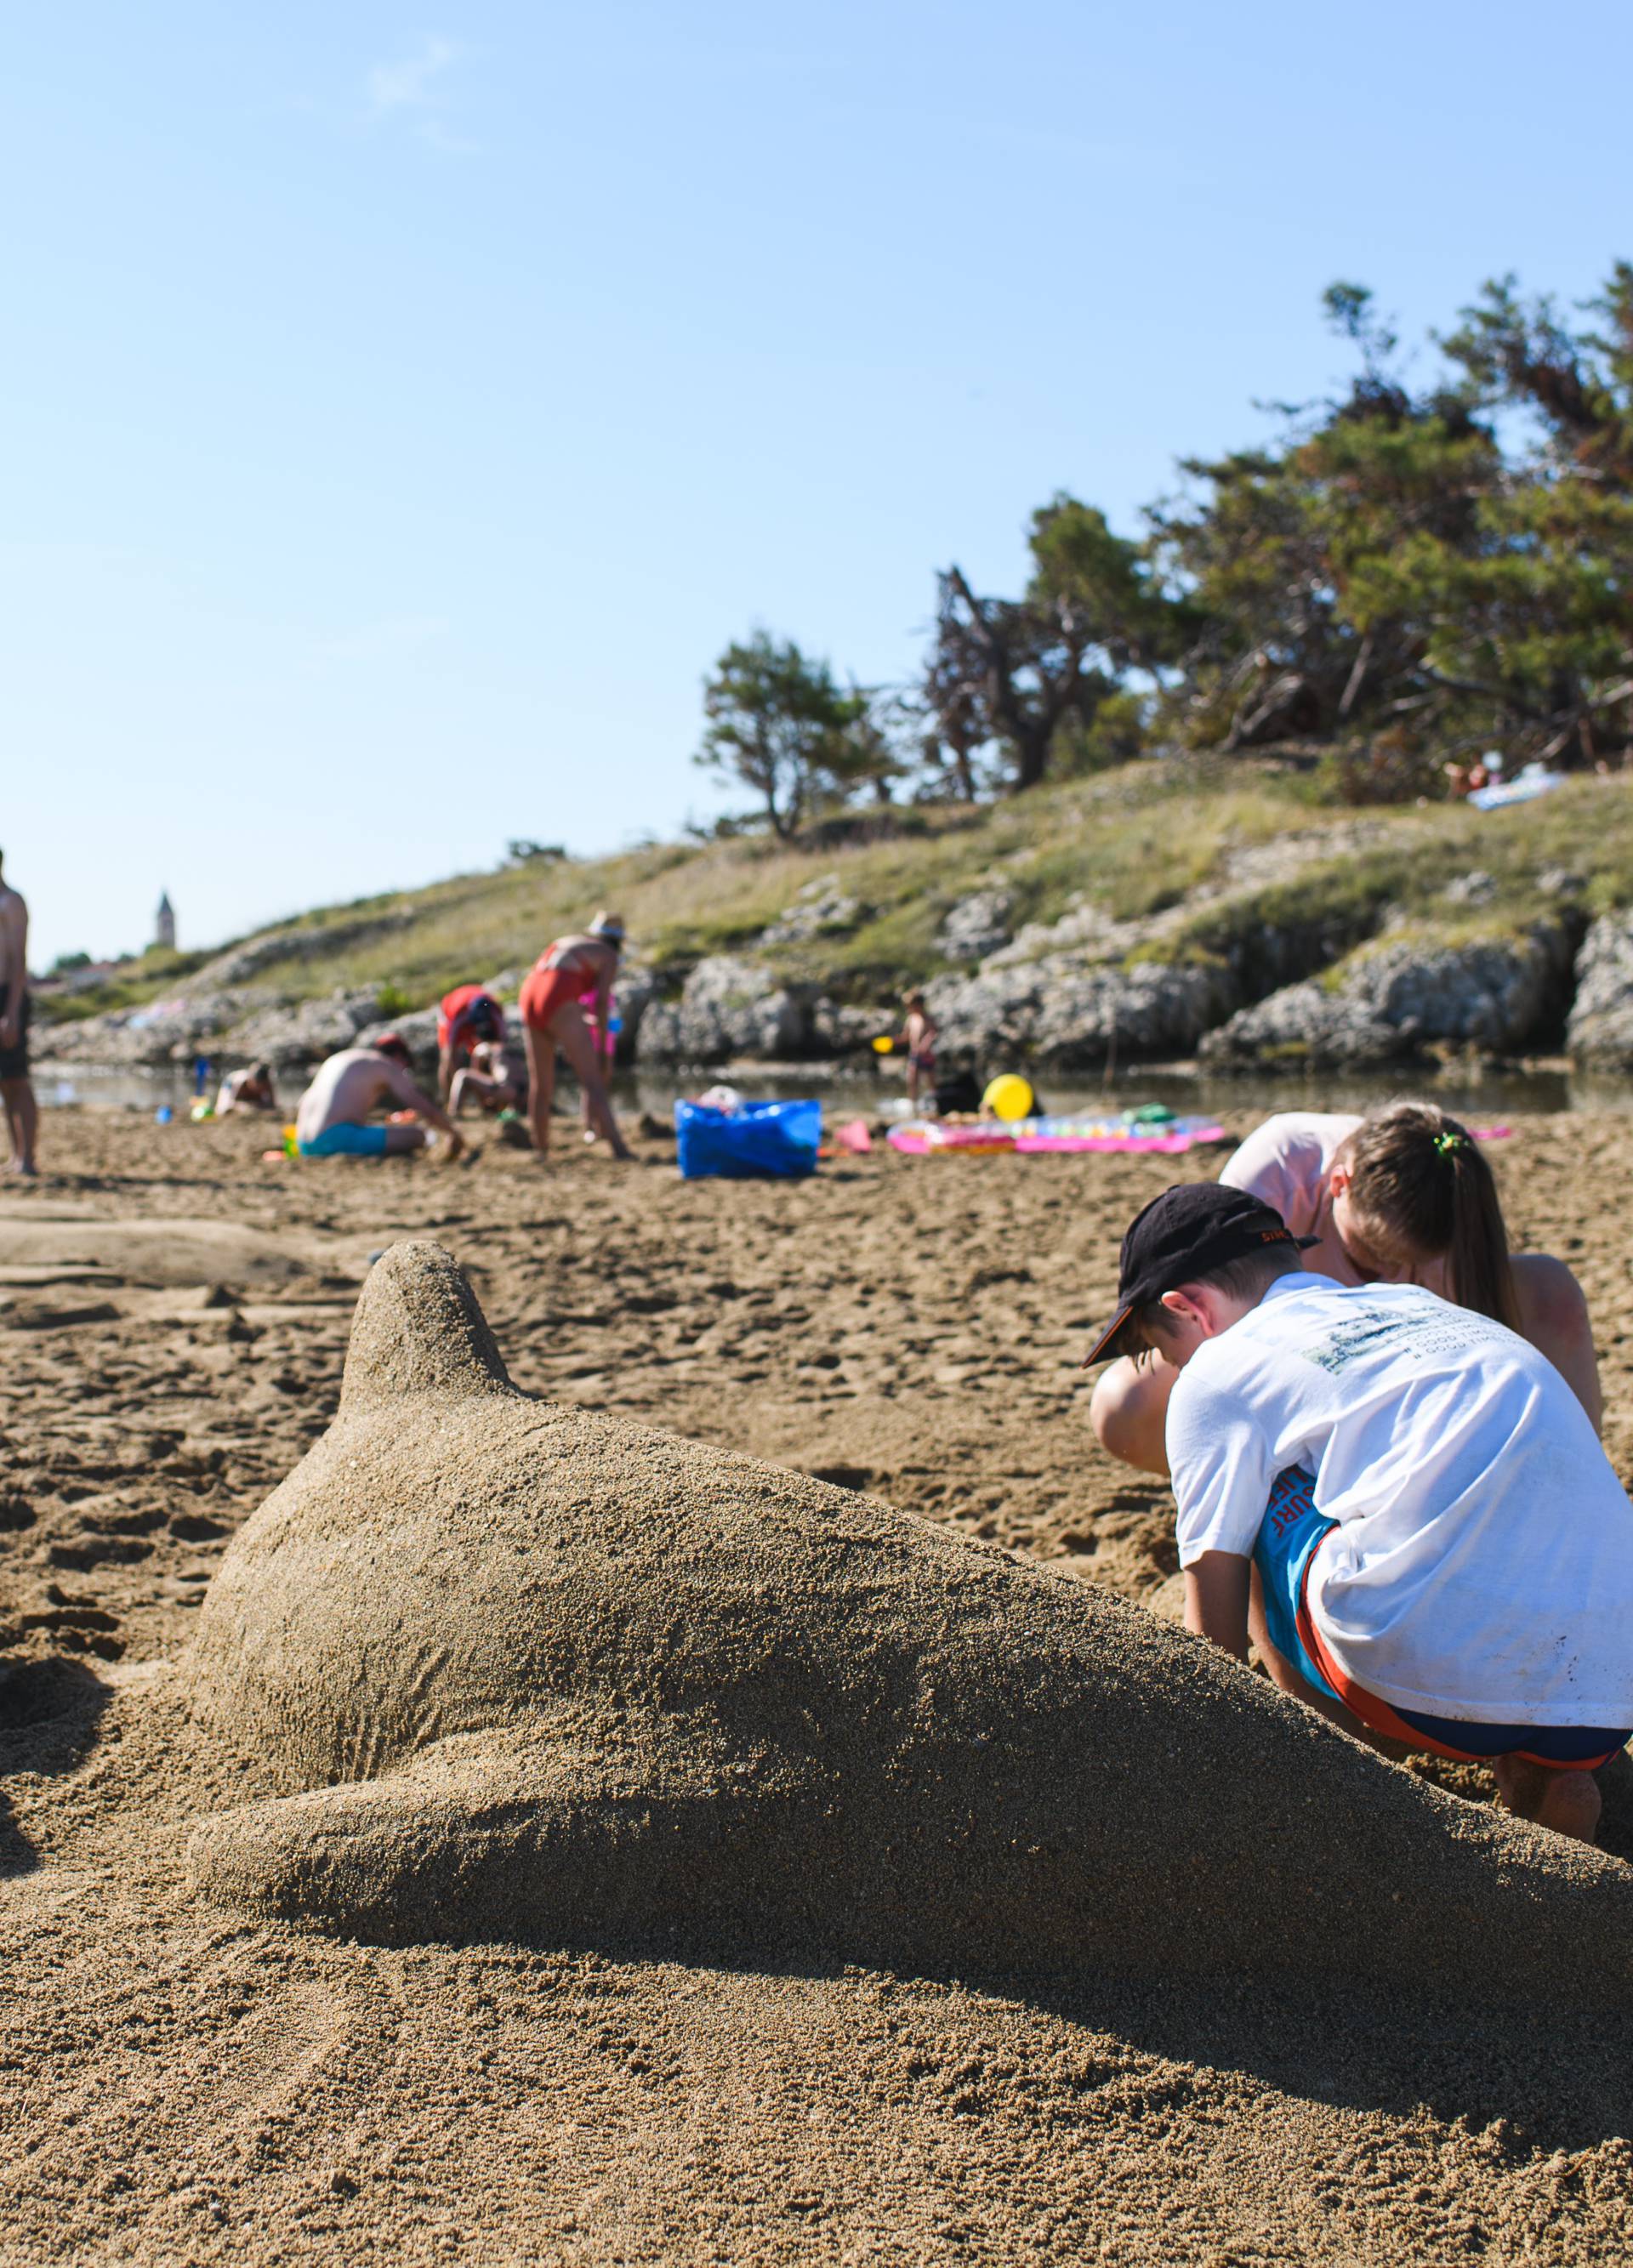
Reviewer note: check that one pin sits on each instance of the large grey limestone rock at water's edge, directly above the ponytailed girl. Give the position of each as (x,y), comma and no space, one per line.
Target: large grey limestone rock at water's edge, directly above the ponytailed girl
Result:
(1396,999)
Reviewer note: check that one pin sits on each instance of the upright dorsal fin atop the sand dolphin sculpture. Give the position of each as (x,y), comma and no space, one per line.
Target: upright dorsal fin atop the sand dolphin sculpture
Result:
(418,1330)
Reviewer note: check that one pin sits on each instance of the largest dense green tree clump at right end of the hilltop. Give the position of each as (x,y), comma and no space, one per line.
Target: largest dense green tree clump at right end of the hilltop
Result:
(1444,573)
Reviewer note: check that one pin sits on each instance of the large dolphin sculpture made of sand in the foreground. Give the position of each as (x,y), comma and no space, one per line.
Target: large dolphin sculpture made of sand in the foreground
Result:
(541,1675)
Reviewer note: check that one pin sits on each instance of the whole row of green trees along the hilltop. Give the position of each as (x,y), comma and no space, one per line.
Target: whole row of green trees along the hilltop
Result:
(1398,582)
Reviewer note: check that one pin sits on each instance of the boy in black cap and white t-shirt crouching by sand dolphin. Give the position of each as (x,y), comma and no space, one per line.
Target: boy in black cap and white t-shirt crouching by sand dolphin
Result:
(1371,1480)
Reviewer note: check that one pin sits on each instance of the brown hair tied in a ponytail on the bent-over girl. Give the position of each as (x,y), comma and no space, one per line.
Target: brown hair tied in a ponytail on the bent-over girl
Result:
(1423,1183)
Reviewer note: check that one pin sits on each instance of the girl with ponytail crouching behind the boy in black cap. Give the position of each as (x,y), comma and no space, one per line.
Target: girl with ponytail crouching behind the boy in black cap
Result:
(1398,1199)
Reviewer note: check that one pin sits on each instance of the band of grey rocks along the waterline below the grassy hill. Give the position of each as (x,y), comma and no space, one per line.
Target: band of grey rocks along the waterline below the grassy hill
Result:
(1224,976)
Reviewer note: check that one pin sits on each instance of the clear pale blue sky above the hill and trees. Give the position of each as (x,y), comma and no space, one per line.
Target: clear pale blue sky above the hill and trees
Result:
(407,407)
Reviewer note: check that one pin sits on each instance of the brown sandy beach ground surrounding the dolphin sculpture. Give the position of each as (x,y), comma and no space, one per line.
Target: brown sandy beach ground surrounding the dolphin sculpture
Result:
(185,2085)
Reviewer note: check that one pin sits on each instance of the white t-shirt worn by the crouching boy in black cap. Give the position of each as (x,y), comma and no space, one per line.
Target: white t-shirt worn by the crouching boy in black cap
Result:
(1482,1566)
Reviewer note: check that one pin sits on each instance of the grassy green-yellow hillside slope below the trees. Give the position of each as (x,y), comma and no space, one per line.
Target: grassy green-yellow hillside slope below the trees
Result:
(1224,845)
